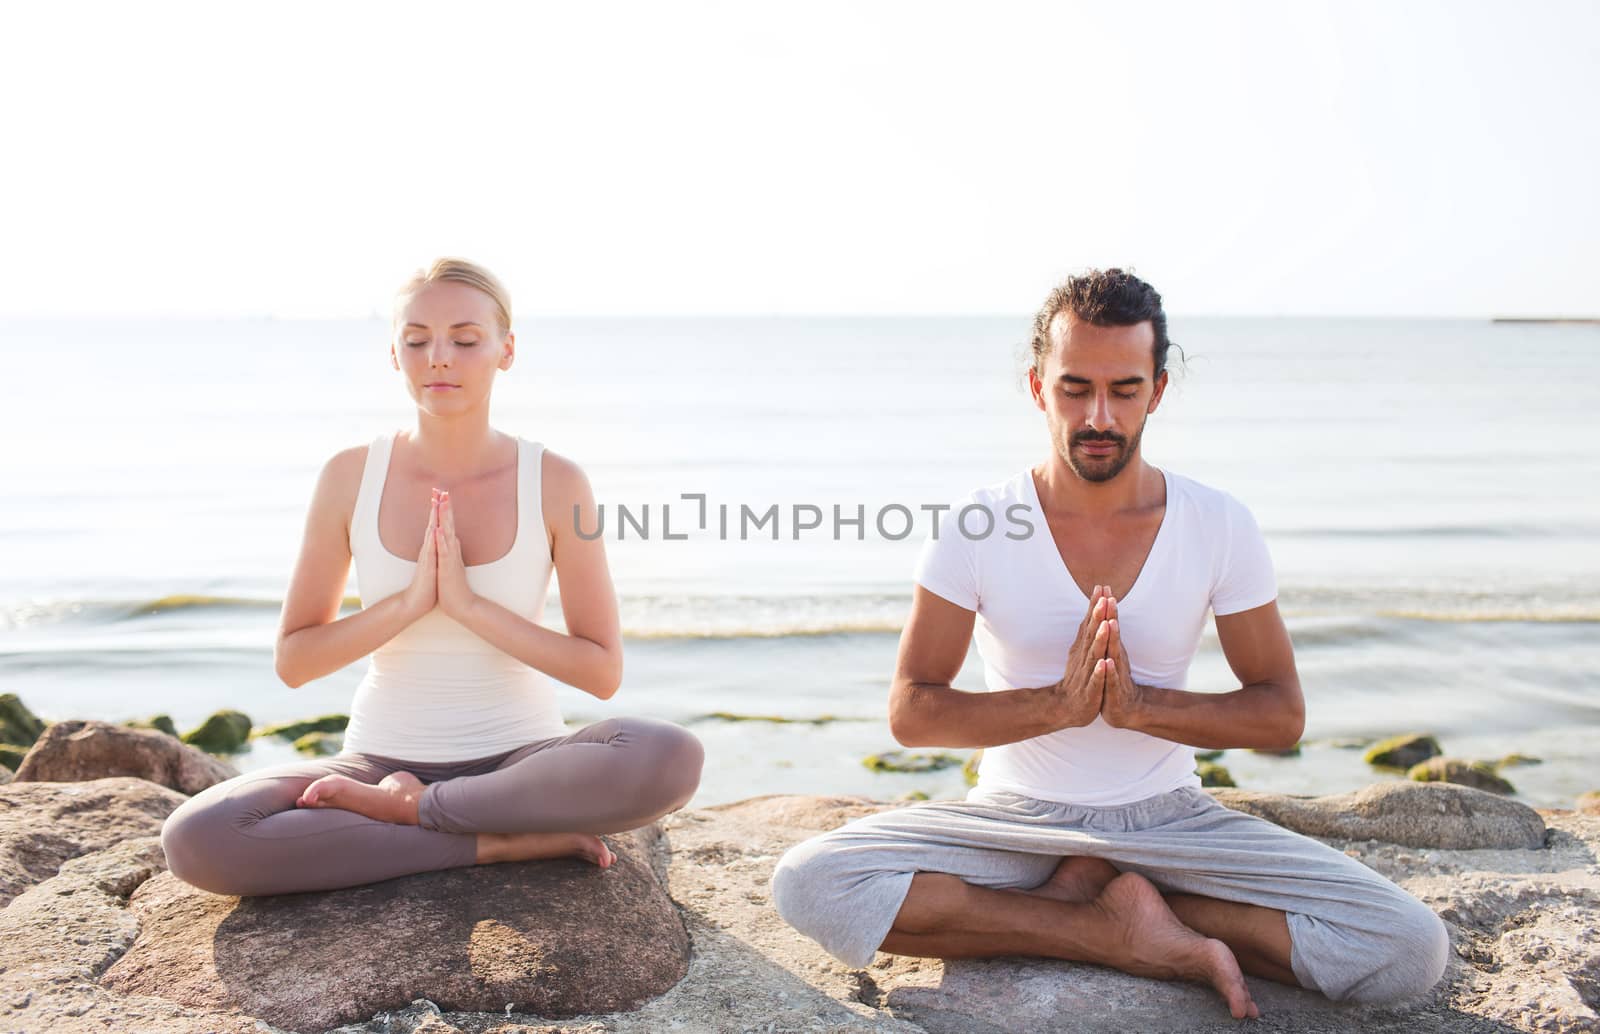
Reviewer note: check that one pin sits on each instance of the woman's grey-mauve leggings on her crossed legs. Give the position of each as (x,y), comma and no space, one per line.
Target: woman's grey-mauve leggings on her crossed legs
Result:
(247,838)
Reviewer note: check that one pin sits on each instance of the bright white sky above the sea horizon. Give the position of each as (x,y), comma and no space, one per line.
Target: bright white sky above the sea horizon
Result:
(690,158)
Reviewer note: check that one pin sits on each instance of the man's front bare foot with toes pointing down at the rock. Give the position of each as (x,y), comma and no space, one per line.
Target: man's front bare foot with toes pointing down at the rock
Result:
(1156,944)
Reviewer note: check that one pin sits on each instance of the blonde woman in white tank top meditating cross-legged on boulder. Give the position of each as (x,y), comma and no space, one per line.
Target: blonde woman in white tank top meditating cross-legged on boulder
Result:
(457,753)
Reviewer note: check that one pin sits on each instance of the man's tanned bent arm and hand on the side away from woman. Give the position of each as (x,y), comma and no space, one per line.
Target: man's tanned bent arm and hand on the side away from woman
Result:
(1268,711)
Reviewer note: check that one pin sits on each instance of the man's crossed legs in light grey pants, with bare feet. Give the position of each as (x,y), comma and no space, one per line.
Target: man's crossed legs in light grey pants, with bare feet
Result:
(986,878)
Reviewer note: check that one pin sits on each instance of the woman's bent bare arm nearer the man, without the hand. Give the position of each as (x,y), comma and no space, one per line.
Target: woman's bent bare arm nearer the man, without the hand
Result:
(590,655)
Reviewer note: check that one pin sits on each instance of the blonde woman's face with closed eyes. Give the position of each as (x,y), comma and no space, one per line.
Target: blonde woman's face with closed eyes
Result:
(447,335)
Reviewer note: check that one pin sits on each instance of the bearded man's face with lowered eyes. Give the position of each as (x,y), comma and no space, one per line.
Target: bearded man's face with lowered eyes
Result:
(1097,393)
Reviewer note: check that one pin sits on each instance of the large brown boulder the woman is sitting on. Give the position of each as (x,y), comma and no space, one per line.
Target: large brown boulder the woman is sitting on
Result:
(554,939)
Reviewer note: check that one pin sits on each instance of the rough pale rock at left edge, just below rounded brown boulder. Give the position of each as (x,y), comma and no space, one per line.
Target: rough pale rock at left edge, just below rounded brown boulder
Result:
(42,825)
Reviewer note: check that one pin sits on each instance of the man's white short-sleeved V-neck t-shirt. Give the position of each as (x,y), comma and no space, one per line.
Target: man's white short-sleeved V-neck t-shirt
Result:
(1209,555)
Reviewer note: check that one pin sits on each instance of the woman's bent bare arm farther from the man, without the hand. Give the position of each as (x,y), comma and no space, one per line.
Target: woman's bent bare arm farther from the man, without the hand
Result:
(311,643)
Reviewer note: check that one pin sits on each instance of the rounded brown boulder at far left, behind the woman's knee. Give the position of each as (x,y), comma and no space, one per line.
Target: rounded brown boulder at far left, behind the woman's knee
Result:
(79,751)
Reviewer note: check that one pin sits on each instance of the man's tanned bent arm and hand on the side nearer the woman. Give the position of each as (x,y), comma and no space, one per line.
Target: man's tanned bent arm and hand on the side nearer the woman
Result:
(926,710)
